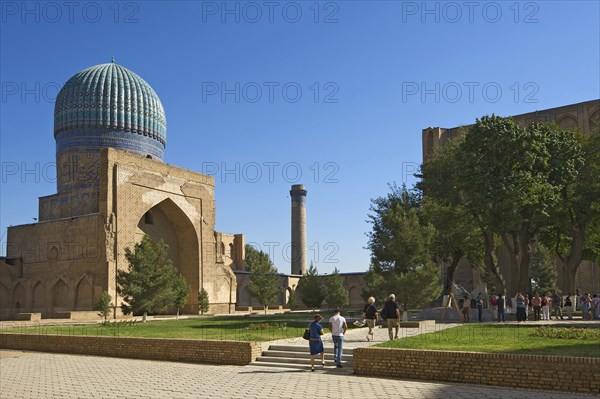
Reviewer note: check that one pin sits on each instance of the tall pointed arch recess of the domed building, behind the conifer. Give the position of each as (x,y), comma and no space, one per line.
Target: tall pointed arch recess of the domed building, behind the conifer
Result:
(166,221)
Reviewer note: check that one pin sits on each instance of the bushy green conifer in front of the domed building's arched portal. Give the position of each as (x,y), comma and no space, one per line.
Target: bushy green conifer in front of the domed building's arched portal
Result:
(148,285)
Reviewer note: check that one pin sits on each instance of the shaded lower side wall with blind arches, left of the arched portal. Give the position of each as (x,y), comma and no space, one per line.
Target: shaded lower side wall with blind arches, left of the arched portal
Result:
(52,267)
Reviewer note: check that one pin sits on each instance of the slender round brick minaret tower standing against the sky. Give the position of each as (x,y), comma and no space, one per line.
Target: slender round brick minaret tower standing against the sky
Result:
(298,253)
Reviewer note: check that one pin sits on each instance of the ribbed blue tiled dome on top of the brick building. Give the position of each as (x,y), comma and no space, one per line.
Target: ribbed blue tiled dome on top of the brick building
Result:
(107,105)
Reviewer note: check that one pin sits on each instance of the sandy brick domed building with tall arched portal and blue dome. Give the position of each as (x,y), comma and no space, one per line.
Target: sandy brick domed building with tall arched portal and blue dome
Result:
(112,188)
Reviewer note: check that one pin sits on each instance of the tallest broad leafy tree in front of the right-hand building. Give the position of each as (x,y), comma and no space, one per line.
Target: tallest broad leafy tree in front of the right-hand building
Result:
(509,181)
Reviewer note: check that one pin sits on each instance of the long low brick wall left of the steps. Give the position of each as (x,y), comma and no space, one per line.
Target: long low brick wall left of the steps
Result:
(178,350)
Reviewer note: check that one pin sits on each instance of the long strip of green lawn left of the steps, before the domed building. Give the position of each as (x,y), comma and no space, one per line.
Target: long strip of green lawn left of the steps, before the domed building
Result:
(239,328)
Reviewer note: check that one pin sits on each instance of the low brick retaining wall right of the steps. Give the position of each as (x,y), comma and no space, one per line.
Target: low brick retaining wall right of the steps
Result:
(570,374)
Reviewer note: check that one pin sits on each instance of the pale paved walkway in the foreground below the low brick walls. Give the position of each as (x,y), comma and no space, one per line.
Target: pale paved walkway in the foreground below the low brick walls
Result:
(45,375)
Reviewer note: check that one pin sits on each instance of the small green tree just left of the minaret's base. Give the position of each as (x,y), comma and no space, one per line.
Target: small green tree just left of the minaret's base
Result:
(263,280)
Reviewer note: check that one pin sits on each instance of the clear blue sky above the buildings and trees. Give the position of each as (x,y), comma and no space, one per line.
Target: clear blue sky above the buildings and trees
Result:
(361,68)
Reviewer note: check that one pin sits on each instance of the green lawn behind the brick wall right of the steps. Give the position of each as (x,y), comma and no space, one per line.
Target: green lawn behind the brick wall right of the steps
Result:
(561,341)
